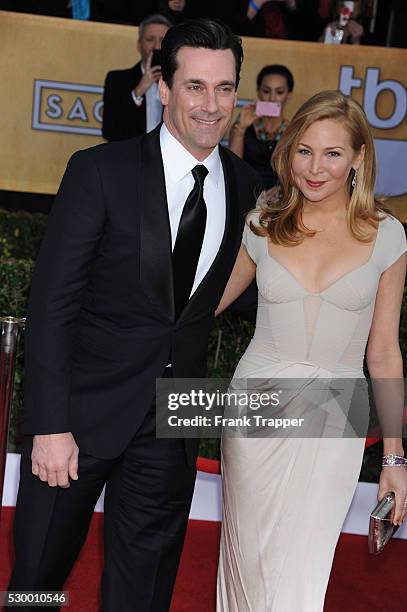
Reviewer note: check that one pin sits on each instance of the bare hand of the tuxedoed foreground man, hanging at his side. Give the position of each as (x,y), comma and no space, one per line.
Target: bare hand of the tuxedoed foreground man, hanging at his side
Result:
(54,459)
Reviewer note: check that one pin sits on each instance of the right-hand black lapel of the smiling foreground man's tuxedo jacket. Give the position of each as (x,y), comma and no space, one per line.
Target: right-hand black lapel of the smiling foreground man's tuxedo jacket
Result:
(203,292)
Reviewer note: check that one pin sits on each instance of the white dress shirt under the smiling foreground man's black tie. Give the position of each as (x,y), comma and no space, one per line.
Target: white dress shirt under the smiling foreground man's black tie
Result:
(178,163)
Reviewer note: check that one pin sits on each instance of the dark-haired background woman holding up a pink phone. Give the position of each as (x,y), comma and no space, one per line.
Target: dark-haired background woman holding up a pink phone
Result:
(253,137)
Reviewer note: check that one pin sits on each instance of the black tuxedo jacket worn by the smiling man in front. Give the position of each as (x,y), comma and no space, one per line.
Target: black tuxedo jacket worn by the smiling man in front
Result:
(100,325)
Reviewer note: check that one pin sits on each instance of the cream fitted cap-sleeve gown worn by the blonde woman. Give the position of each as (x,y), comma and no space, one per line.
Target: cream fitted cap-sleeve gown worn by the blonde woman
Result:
(285,500)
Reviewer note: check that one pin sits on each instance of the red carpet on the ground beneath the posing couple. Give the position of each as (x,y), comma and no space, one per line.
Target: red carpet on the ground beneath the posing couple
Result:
(360,583)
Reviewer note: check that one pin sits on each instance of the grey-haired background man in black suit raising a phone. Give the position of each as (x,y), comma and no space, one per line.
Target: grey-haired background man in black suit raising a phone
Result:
(131,105)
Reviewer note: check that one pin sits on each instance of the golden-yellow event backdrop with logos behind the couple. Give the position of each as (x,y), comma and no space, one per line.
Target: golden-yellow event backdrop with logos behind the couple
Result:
(52,73)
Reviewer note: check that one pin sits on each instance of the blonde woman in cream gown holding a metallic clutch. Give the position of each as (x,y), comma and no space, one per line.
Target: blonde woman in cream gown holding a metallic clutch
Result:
(330,267)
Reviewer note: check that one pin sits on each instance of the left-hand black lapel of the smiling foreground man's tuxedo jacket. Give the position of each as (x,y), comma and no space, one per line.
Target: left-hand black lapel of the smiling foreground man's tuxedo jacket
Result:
(155,232)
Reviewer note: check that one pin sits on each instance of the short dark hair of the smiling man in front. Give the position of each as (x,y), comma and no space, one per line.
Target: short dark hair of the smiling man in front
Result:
(198,33)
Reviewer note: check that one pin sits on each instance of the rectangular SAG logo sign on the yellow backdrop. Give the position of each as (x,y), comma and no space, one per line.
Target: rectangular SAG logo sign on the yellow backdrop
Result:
(67,107)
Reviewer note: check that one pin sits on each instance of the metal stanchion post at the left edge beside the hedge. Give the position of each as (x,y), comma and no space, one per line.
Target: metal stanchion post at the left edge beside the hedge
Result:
(10,331)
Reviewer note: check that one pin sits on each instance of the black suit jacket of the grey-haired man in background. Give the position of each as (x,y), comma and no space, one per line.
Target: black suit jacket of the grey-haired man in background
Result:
(122,118)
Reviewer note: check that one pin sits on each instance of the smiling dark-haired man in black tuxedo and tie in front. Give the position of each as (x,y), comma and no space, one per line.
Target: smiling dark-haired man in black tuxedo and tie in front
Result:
(140,243)
